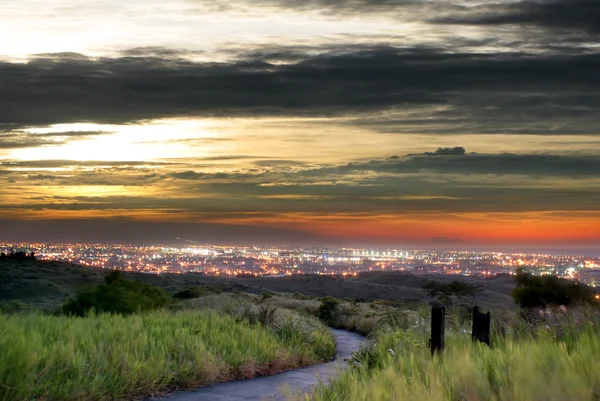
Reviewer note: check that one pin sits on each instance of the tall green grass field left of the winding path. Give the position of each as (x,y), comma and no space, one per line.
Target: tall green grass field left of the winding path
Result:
(116,357)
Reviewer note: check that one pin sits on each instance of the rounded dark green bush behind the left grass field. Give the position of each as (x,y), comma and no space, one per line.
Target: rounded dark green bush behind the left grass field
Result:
(117,295)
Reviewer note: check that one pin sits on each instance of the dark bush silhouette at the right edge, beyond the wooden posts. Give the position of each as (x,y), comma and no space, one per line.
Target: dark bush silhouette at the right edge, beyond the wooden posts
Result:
(542,291)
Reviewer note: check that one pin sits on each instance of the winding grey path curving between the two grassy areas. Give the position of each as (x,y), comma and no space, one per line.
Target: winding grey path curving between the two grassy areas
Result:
(277,387)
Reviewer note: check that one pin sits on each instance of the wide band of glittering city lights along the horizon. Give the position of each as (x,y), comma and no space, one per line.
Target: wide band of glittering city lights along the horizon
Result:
(276,261)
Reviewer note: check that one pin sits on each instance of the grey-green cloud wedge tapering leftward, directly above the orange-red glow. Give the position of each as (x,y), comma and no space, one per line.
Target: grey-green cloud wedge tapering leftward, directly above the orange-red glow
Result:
(448,179)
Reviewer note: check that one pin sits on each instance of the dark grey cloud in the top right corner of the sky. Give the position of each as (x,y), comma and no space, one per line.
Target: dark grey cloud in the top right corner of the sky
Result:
(573,15)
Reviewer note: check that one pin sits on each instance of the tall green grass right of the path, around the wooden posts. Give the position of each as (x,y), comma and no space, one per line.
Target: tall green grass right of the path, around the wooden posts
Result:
(545,364)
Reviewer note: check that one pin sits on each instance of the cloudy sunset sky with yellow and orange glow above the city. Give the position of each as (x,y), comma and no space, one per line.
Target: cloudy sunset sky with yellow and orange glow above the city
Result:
(360,122)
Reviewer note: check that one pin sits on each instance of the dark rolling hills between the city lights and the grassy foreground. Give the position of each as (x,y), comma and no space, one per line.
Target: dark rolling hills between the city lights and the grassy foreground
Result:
(46,285)
